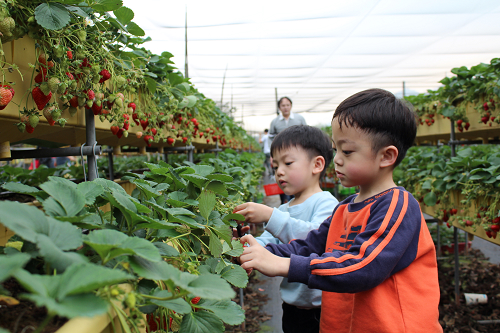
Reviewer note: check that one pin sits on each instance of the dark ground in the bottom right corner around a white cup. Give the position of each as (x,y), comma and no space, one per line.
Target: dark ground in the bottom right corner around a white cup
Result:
(477,276)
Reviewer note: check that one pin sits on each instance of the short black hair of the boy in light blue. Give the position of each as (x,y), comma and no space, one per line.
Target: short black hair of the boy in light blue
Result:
(313,140)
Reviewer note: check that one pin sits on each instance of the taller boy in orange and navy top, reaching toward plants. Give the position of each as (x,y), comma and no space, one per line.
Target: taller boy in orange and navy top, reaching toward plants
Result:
(374,258)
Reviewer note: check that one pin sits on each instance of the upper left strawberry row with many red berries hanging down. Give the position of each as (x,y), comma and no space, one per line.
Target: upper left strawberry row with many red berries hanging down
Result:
(75,55)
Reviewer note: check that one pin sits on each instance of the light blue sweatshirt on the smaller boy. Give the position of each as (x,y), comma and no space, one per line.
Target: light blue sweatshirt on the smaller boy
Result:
(288,223)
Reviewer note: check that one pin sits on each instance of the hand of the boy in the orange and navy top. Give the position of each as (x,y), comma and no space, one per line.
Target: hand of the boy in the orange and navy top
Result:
(256,256)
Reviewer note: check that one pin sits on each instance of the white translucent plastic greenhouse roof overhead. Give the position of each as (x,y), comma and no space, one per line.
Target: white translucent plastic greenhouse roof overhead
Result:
(317,52)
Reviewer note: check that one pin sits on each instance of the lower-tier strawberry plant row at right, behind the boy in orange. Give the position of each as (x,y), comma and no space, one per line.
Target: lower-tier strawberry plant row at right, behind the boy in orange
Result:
(461,190)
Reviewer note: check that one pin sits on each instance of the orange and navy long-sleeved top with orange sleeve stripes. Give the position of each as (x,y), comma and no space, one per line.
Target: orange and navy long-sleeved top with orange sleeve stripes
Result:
(376,264)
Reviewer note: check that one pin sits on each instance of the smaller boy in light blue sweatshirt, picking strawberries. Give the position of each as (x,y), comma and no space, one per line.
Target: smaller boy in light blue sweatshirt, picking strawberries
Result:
(300,155)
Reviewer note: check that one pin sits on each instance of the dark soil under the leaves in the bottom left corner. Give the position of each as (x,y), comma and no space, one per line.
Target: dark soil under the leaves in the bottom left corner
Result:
(26,316)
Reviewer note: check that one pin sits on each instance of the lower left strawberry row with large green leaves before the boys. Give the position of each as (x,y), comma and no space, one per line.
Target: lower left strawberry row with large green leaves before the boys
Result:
(171,240)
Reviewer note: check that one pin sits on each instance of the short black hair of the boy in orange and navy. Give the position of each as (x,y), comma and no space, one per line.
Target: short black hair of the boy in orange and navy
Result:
(387,119)
